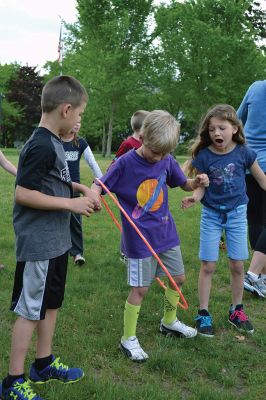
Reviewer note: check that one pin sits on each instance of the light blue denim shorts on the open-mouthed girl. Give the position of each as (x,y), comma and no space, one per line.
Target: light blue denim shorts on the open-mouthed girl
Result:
(233,223)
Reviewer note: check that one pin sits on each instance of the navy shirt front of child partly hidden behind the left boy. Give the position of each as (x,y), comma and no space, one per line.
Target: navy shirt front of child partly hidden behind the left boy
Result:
(73,154)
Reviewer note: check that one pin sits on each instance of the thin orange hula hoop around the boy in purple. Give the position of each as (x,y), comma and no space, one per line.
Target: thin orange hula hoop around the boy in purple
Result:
(184,303)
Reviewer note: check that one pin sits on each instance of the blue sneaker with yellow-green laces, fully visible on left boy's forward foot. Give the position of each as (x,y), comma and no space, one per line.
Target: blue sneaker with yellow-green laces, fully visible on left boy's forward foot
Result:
(55,371)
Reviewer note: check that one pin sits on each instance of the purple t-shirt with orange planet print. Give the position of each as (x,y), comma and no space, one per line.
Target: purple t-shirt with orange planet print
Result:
(141,188)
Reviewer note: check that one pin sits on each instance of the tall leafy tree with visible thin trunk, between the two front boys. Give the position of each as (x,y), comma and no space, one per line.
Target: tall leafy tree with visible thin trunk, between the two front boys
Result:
(110,44)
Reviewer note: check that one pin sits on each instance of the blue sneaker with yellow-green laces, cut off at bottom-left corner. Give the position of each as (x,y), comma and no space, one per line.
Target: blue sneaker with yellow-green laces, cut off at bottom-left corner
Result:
(20,390)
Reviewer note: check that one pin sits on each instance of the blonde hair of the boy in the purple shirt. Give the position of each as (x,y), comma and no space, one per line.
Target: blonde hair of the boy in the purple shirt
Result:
(160,132)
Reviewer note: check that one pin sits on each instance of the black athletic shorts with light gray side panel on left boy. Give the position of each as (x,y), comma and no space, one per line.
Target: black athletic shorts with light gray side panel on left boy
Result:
(38,286)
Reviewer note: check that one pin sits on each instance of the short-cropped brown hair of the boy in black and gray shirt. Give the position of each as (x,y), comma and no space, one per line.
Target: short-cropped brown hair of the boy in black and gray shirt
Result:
(60,90)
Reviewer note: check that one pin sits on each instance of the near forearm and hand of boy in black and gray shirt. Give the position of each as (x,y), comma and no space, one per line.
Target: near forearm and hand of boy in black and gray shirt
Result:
(37,200)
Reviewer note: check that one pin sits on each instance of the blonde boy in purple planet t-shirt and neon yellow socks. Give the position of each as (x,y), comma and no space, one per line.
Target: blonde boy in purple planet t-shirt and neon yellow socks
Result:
(140,179)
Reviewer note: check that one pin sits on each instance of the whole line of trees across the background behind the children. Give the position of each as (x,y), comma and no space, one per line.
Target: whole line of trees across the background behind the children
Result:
(130,55)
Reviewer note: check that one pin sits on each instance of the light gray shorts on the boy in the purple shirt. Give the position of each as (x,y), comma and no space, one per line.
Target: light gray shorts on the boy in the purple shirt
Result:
(142,271)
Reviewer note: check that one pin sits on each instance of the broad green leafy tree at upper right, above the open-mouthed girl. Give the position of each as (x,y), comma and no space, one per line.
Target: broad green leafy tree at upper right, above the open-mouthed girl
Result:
(208,53)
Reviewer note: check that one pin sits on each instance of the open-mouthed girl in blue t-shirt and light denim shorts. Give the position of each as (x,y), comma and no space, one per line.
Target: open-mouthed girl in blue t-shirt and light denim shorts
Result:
(220,152)
